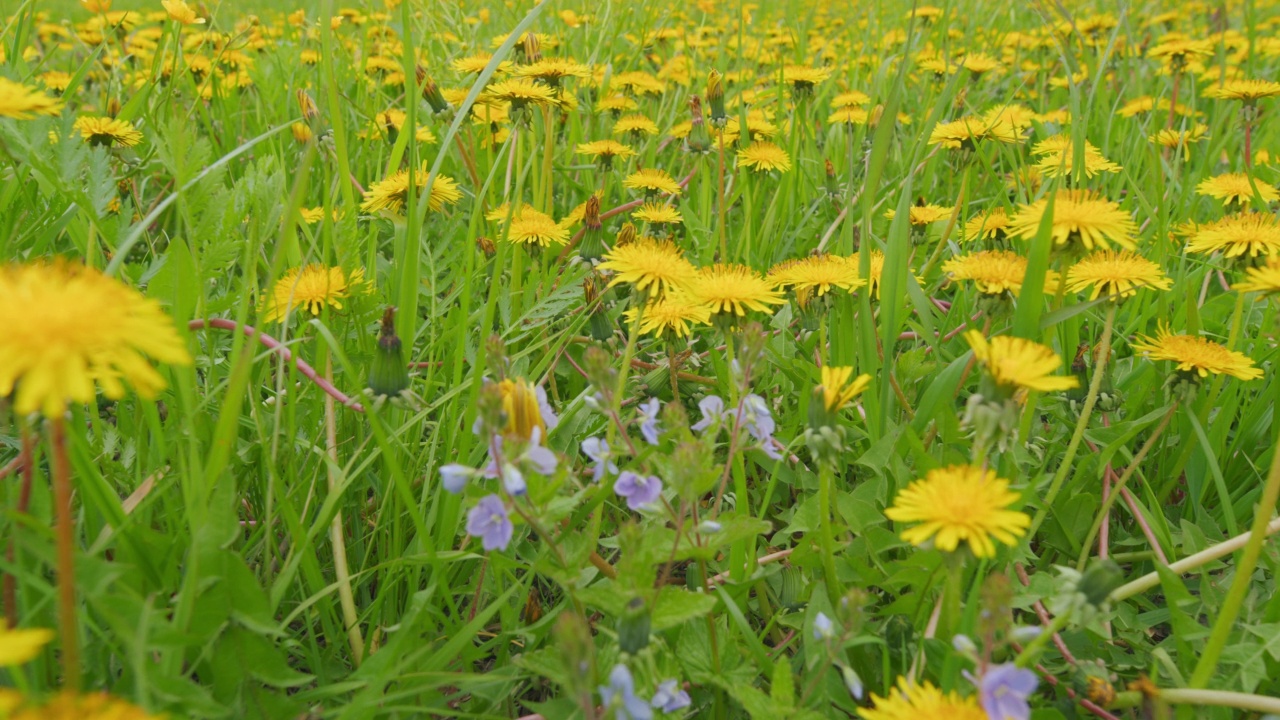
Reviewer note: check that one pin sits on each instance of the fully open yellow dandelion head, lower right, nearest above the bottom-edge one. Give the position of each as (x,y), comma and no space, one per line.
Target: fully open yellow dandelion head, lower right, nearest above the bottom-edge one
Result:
(957,504)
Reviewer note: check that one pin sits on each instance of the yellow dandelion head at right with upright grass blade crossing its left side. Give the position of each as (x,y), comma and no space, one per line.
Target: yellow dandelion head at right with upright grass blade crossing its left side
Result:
(1080,217)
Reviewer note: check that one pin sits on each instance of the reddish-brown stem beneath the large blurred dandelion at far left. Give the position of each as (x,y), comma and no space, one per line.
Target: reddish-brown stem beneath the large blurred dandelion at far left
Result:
(66,536)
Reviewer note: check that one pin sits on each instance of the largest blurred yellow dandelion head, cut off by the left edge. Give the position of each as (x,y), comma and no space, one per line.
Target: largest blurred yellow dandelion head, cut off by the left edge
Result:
(68,327)
